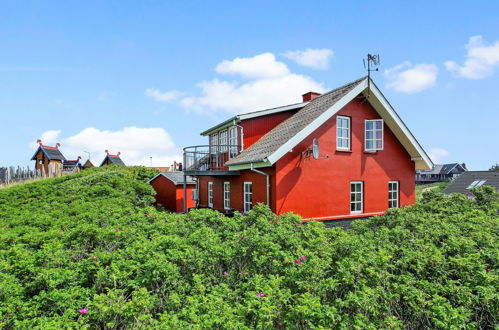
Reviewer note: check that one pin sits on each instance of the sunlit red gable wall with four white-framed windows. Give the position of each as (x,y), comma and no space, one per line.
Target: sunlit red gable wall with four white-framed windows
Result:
(321,188)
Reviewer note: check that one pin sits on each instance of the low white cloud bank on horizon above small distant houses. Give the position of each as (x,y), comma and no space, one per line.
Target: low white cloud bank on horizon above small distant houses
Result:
(135,144)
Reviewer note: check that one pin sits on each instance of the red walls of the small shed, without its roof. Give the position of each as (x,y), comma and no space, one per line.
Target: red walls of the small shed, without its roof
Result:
(170,196)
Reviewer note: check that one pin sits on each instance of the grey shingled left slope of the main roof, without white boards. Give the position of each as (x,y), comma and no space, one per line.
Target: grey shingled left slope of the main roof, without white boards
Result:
(280,134)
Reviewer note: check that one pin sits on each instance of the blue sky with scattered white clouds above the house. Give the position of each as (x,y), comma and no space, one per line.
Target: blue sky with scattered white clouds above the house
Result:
(146,77)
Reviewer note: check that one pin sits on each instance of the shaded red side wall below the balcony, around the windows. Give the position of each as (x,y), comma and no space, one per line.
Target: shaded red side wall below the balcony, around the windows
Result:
(236,189)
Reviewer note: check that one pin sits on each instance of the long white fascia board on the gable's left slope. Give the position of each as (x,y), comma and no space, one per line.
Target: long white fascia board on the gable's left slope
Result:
(309,129)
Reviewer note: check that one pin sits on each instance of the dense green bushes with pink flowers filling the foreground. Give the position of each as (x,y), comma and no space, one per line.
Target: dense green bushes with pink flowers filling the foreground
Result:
(89,251)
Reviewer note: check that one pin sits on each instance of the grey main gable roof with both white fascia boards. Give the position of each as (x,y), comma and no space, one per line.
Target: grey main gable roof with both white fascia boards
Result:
(282,138)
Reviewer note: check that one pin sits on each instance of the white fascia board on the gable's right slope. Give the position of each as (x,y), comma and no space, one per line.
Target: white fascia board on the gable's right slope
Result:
(393,118)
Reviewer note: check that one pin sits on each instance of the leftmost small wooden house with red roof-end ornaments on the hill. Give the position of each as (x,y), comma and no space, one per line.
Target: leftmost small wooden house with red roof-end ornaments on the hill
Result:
(48,160)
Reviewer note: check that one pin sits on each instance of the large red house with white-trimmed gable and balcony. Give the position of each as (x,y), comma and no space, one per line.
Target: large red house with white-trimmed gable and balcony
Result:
(343,154)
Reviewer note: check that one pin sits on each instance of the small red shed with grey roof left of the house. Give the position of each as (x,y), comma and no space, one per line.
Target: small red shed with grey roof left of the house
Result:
(169,188)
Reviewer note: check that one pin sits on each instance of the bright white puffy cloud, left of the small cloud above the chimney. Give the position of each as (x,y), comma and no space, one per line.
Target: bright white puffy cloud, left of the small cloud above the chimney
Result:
(260,66)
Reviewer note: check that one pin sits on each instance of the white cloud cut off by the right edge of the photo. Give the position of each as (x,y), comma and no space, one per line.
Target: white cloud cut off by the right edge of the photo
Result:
(481,59)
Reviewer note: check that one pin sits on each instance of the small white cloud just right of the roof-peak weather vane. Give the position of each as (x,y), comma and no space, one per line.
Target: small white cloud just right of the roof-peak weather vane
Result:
(408,78)
